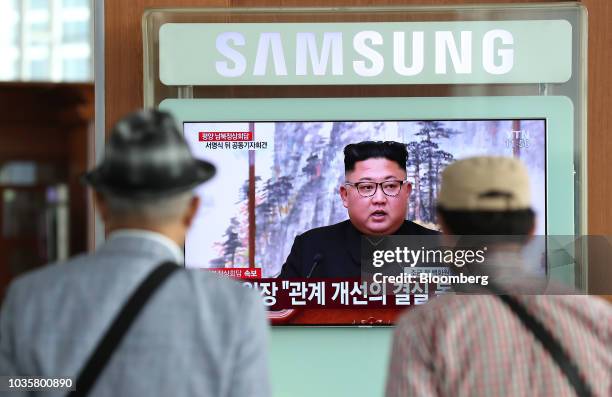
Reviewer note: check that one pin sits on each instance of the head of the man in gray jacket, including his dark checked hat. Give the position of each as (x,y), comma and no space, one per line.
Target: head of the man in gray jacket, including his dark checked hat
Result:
(146,178)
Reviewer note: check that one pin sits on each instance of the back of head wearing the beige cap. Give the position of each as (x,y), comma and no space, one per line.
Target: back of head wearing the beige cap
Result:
(486,196)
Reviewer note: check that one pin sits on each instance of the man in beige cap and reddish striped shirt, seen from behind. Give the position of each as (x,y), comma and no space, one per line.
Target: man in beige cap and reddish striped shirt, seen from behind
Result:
(488,344)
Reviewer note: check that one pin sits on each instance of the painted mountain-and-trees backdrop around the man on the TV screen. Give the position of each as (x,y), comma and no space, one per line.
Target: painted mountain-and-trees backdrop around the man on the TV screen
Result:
(297,168)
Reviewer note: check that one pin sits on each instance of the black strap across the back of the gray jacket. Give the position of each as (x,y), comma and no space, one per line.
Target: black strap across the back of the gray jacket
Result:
(120,326)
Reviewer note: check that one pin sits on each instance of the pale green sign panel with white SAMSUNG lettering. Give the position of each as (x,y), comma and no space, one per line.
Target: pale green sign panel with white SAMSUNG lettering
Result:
(455,52)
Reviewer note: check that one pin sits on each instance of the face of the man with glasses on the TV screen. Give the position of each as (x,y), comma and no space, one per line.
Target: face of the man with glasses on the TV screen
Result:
(379,214)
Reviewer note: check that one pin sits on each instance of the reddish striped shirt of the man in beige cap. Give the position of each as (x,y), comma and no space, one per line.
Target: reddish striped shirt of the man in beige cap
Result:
(474,345)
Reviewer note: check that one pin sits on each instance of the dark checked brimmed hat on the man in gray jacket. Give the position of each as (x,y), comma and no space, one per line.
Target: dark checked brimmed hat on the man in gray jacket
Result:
(146,157)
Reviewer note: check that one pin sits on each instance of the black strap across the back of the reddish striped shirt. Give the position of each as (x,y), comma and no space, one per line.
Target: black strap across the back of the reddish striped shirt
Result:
(550,343)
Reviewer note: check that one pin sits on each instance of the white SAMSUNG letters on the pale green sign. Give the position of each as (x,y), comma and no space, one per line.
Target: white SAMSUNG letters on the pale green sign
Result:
(327,55)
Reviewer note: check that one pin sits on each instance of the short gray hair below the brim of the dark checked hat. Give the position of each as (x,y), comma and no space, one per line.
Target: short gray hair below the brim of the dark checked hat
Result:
(149,211)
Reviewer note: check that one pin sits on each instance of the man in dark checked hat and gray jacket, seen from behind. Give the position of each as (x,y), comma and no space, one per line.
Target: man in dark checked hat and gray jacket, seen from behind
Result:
(117,321)
